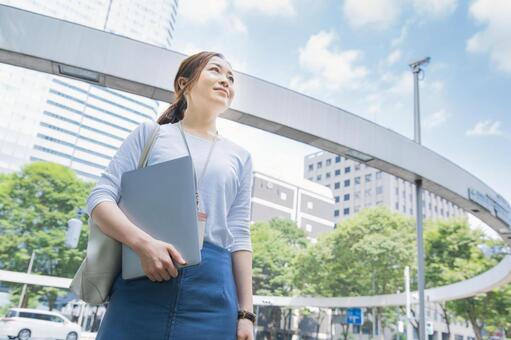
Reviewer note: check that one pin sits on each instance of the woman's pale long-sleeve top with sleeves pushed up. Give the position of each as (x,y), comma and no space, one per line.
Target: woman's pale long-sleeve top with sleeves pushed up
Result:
(225,190)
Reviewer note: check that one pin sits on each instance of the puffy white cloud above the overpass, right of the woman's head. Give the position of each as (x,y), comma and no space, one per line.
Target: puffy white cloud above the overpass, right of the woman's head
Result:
(330,68)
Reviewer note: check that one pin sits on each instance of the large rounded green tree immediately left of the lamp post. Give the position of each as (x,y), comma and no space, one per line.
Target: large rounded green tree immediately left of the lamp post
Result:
(364,255)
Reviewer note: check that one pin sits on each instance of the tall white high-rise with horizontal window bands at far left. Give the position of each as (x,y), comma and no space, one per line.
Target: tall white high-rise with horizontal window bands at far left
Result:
(74,123)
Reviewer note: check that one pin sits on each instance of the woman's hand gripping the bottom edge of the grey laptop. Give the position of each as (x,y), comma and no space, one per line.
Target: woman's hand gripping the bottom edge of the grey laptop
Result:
(157,257)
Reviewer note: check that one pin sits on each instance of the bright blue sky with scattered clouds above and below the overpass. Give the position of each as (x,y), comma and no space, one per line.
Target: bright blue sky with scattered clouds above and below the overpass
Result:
(354,54)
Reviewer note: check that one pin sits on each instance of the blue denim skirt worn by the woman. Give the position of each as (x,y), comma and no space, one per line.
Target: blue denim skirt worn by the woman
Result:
(200,303)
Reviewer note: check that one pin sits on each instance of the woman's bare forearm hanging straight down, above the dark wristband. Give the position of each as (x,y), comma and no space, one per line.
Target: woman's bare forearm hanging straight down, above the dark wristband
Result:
(242,268)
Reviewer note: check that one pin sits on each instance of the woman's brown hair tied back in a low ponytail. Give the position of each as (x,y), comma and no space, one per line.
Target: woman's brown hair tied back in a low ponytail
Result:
(190,68)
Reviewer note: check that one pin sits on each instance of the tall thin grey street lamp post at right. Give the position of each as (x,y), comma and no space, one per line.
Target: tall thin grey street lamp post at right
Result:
(416,69)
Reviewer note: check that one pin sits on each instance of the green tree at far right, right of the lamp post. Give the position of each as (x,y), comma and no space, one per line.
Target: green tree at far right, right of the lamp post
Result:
(453,254)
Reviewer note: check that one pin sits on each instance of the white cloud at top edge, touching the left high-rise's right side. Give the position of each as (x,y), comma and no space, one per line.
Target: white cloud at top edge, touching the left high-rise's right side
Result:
(202,11)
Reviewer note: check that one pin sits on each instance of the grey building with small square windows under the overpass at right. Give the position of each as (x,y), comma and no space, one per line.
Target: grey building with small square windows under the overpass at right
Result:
(356,186)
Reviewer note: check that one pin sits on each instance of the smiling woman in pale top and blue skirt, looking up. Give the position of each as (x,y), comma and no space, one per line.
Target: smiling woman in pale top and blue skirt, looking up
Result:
(196,302)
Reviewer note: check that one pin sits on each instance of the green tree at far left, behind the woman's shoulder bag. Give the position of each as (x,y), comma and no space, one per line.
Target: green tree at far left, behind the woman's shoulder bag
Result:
(35,205)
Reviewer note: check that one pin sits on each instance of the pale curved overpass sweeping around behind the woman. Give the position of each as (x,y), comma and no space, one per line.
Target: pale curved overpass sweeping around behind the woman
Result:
(49,45)
